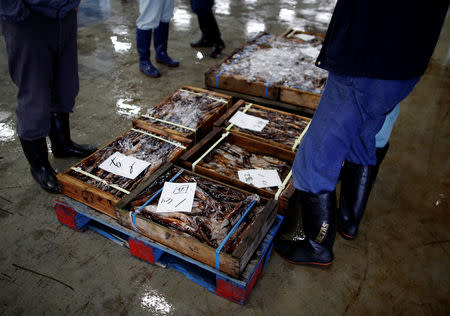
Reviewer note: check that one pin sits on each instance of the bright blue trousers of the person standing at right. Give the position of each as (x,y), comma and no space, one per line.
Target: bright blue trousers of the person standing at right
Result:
(351,112)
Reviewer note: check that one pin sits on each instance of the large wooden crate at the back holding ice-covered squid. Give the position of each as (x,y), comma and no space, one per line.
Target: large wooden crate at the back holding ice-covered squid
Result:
(219,78)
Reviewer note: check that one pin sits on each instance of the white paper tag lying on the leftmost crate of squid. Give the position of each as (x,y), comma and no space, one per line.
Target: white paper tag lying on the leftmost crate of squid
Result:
(125,166)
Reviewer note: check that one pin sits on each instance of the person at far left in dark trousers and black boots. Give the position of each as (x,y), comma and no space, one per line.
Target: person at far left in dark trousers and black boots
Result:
(41,44)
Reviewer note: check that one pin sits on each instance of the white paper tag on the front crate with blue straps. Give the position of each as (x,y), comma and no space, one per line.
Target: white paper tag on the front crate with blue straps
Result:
(176,197)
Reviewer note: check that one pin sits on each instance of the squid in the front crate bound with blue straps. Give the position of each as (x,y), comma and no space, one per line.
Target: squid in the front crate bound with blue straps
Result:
(216,209)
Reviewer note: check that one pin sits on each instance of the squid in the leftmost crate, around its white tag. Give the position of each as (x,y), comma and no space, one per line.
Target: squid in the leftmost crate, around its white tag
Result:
(133,144)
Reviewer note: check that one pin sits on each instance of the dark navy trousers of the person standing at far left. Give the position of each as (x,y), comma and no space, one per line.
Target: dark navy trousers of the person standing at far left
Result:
(43,63)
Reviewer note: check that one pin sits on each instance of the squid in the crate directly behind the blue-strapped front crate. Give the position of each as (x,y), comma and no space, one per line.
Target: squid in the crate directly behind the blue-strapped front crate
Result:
(228,159)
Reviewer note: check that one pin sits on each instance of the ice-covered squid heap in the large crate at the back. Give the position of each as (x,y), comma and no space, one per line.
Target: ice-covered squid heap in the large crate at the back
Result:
(276,60)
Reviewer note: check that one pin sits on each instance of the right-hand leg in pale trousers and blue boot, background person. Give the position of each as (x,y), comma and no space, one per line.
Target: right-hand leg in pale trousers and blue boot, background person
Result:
(162,36)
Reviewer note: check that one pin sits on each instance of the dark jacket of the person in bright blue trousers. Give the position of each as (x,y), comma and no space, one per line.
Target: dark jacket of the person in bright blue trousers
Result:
(382,39)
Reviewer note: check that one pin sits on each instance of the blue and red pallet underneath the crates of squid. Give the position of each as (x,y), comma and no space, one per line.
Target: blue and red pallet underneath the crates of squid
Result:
(80,217)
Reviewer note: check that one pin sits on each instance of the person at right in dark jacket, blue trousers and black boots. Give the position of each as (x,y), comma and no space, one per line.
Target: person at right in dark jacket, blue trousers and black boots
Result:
(375,52)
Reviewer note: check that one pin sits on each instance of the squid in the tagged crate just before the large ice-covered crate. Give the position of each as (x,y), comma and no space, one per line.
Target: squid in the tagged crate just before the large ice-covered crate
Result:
(286,138)
